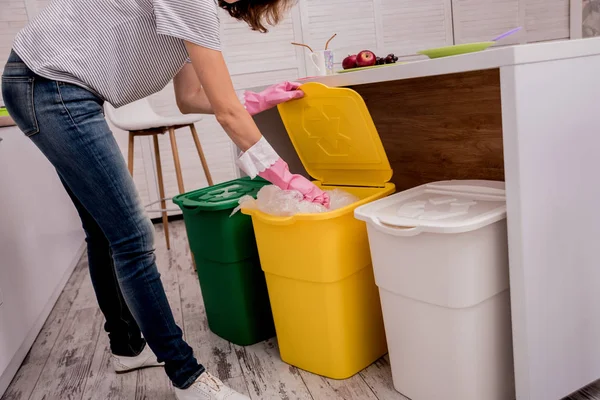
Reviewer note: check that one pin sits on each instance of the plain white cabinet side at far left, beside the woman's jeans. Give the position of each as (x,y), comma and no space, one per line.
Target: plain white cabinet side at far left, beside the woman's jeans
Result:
(40,242)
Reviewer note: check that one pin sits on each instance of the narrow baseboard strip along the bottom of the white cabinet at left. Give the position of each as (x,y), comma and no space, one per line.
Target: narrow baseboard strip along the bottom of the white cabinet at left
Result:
(14,365)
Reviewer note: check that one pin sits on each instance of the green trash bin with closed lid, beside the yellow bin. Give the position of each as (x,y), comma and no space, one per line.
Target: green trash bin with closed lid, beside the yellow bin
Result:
(224,248)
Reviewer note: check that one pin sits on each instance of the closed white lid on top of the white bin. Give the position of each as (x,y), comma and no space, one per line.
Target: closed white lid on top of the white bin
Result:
(442,207)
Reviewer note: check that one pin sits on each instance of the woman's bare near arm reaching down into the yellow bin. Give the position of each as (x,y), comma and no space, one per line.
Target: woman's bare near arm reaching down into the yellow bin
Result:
(215,82)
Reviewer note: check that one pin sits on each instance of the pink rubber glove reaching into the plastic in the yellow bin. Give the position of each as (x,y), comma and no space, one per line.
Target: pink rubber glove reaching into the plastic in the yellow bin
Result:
(280,175)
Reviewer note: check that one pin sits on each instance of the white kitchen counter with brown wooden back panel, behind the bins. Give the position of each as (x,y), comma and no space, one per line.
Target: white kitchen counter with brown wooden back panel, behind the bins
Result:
(526,115)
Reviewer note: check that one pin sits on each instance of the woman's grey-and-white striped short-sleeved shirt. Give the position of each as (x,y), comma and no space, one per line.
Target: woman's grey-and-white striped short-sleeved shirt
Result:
(121,50)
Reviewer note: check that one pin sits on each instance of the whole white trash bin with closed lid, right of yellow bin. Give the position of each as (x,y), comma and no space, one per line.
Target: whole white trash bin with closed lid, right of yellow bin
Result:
(440,257)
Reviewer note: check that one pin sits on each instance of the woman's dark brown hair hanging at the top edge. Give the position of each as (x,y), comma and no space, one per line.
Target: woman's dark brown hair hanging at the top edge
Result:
(258,12)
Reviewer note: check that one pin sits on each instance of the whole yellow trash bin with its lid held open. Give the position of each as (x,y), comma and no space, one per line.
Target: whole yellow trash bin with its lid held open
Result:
(318,266)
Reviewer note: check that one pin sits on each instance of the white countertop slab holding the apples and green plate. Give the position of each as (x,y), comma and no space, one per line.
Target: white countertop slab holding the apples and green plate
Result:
(488,59)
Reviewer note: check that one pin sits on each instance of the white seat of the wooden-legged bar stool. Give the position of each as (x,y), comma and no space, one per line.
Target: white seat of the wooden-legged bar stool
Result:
(139,116)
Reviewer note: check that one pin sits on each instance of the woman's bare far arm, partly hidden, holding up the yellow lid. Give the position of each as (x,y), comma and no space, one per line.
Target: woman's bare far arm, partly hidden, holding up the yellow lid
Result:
(189,94)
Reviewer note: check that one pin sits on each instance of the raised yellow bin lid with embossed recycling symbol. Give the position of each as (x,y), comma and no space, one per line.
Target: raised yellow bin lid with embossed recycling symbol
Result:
(335,137)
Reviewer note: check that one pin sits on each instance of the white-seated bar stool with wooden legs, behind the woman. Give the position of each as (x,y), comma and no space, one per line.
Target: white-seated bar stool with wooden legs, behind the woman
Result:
(139,119)
